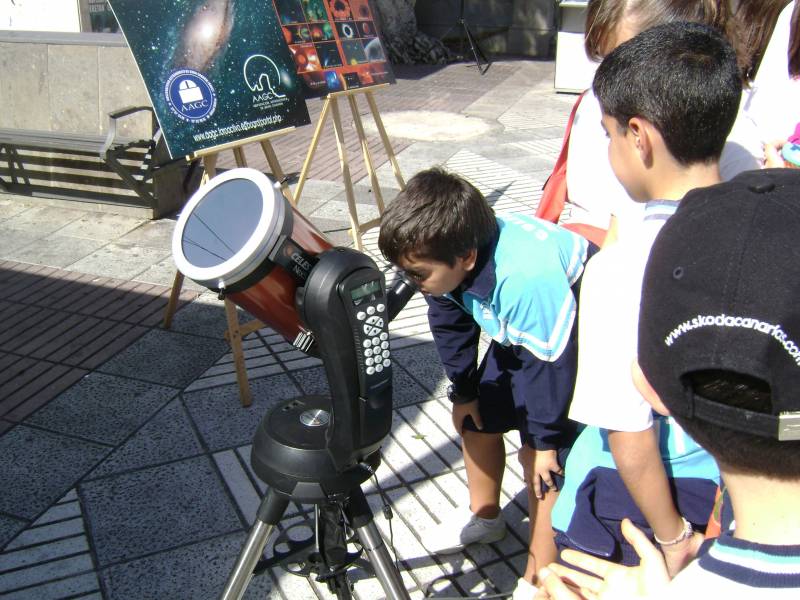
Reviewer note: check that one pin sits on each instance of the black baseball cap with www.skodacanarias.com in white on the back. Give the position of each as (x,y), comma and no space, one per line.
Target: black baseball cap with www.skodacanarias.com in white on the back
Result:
(721,291)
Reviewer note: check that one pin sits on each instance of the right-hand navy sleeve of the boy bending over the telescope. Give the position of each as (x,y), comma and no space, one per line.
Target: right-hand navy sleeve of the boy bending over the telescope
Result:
(546,388)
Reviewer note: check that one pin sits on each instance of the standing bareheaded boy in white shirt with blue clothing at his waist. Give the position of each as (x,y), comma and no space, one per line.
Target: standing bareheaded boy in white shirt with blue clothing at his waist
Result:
(669,98)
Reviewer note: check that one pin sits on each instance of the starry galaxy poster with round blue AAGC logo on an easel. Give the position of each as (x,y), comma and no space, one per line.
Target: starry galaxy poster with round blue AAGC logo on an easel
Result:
(216,71)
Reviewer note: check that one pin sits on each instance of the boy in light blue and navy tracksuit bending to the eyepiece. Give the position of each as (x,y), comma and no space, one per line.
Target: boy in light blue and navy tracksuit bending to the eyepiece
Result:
(516,278)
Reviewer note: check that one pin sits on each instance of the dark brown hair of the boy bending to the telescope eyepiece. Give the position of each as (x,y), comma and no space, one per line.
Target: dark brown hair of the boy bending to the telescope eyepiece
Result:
(439,216)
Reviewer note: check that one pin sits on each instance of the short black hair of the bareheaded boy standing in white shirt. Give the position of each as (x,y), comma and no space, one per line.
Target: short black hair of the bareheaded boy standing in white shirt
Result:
(683,78)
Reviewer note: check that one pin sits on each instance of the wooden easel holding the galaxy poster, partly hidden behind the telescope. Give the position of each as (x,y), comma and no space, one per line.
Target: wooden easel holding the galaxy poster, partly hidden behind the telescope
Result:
(235,331)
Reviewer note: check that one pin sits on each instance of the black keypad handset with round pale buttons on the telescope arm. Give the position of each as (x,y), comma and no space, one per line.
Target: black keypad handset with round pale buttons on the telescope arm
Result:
(369,321)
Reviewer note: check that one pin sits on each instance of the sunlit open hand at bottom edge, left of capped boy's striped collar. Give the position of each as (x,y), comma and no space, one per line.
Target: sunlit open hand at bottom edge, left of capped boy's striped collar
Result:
(610,580)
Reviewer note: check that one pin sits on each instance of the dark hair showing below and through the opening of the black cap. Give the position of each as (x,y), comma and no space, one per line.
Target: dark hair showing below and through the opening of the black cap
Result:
(738,451)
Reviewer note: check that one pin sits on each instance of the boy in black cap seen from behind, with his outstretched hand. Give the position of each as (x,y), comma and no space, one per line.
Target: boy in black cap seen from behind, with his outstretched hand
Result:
(719,350)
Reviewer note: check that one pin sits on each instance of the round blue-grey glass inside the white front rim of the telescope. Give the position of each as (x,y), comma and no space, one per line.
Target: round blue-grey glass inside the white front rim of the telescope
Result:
(222,223)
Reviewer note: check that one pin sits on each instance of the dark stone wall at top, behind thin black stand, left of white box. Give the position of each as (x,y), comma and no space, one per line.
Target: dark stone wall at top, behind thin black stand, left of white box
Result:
(520,27)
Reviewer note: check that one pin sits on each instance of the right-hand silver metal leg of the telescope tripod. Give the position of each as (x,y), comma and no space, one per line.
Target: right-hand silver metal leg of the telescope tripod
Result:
(360,516)
